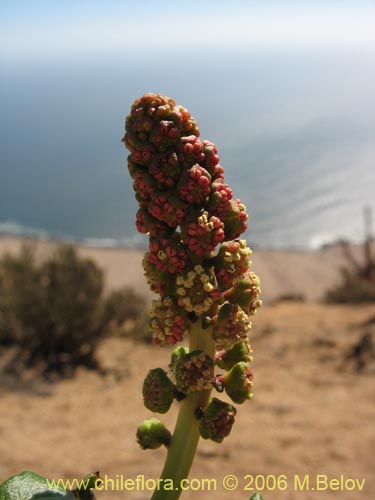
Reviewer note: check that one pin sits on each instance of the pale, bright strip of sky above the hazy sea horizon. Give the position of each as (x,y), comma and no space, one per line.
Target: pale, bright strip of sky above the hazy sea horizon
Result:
(43,29)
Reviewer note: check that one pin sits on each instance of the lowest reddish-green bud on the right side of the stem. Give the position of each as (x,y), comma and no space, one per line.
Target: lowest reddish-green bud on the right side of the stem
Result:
(217,420)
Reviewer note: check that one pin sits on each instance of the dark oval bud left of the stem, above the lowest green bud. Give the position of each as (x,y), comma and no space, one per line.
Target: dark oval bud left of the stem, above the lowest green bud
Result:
(158,391)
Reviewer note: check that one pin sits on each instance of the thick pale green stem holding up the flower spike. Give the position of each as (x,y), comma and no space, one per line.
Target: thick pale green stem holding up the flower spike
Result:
(185,438)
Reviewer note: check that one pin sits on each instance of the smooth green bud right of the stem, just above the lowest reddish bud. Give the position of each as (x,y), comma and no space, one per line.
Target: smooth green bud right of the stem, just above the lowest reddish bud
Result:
(238,382)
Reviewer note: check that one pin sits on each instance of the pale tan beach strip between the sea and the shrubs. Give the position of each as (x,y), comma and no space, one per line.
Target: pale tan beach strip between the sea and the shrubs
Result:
(308,273)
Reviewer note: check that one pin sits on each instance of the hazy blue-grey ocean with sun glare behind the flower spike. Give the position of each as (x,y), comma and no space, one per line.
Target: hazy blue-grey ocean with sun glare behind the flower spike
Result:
(295,132)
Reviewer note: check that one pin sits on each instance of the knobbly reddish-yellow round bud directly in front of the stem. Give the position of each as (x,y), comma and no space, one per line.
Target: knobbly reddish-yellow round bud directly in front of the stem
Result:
(194,372)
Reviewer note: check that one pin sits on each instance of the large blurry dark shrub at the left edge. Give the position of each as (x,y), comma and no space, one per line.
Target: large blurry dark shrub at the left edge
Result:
(51,312)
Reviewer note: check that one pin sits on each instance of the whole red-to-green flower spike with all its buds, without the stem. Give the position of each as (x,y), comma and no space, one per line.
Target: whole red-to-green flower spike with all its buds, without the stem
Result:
(196,262)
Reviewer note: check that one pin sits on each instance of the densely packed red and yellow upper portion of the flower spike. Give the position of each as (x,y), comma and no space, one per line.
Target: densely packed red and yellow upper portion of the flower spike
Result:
(192,220)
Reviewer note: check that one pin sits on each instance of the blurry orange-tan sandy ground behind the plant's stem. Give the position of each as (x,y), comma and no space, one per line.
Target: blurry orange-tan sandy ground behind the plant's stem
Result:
(312,413)
